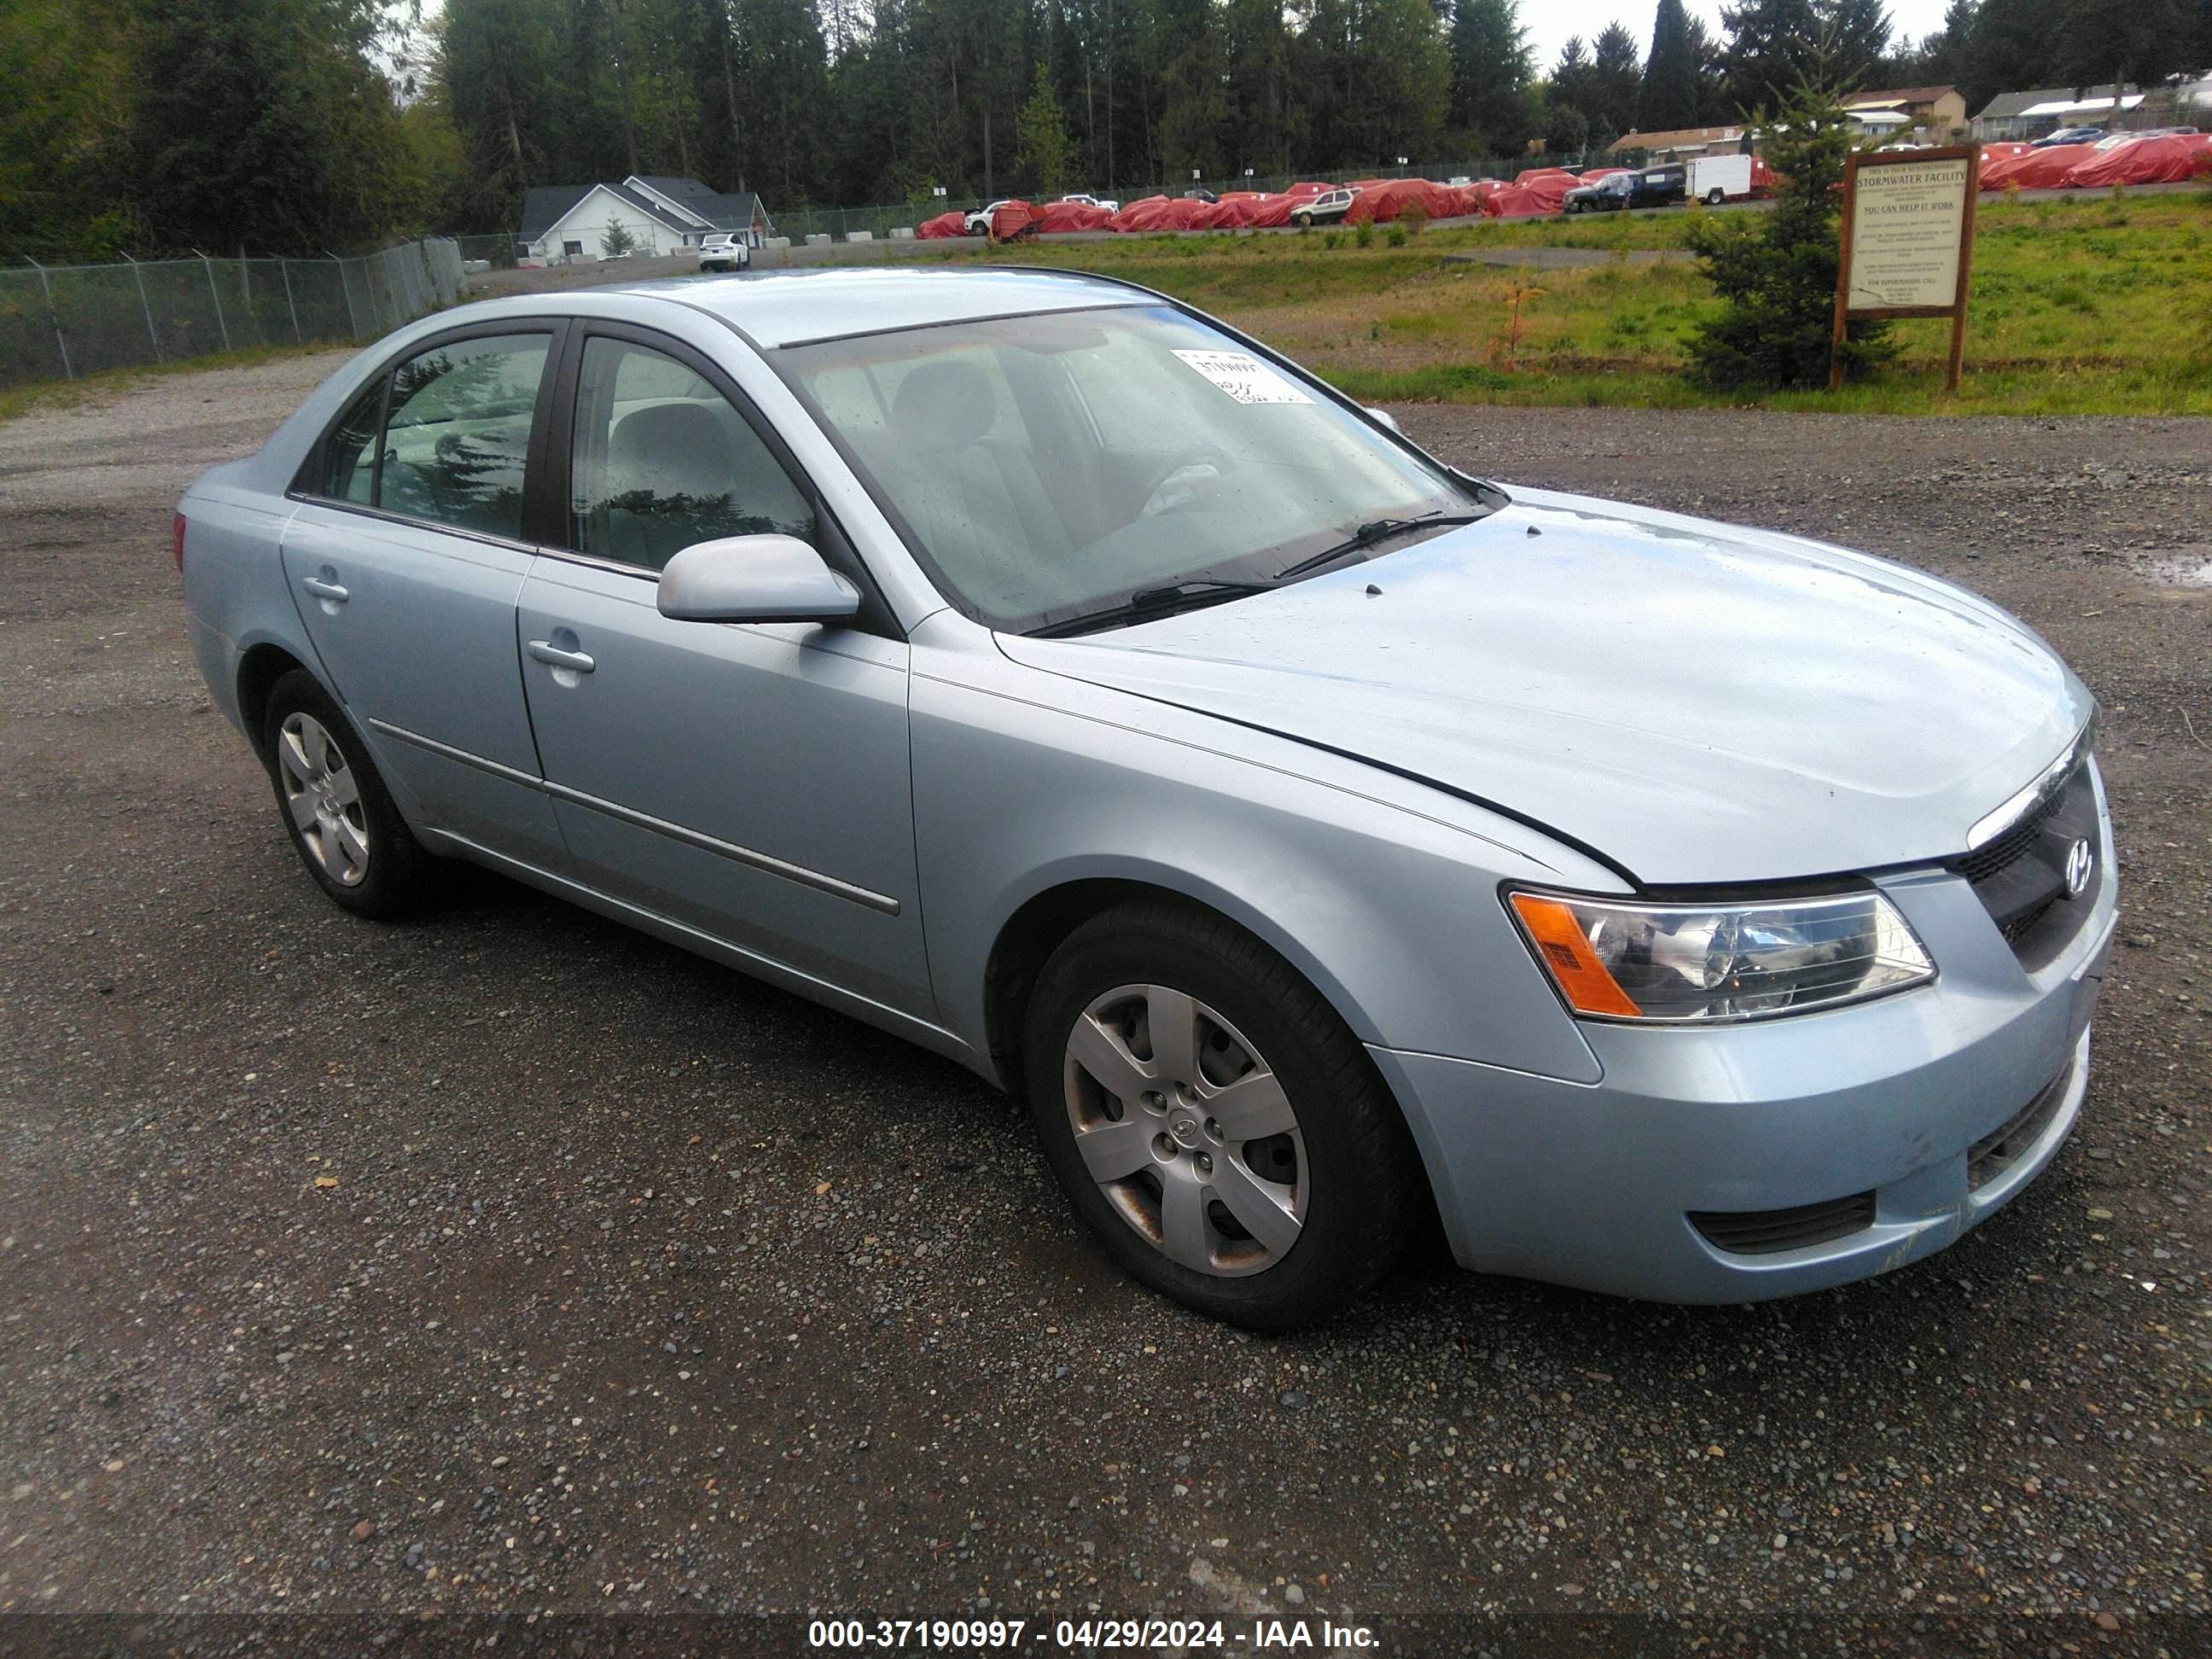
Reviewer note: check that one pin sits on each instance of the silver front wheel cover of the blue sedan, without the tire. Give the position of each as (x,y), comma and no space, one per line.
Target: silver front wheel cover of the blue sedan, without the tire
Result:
(1187,1131)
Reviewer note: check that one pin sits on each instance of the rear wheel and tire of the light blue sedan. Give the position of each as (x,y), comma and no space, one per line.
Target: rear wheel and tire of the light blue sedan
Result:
(335,806)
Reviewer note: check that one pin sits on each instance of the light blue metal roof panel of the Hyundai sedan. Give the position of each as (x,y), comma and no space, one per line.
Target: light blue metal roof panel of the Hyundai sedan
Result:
(797,306)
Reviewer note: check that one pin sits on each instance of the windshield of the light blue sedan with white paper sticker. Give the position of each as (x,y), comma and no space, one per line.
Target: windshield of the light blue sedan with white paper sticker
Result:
(1056,466)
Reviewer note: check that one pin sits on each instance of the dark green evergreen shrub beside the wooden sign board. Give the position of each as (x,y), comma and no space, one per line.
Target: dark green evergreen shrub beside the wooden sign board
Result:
(1780,275)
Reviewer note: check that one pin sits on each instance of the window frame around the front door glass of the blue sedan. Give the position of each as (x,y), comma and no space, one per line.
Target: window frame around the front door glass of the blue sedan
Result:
(552,523)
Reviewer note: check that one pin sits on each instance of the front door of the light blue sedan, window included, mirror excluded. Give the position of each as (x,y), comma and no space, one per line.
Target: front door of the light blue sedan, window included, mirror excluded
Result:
(744,780)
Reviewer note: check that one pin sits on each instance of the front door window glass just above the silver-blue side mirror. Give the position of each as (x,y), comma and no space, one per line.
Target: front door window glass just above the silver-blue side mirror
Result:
(662,461)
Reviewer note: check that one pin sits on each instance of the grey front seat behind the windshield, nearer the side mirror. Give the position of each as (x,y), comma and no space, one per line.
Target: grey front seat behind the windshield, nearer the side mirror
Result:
(979,505)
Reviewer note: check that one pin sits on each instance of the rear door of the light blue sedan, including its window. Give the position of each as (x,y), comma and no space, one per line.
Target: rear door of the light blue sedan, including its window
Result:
(406,561)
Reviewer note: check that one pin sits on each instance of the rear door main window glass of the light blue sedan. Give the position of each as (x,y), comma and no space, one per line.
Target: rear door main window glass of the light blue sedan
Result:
(459,430)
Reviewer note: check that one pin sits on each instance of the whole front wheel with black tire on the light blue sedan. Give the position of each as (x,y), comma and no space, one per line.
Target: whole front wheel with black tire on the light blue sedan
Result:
(1333,1187)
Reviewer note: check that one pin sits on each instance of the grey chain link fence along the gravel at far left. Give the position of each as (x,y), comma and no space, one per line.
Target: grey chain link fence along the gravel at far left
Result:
(67,322)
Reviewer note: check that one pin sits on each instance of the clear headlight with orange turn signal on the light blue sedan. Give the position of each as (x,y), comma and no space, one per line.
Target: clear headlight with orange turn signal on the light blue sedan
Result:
(1698,963)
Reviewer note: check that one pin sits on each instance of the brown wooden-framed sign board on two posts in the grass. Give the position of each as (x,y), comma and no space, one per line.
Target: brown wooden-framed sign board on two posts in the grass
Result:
(1908,242)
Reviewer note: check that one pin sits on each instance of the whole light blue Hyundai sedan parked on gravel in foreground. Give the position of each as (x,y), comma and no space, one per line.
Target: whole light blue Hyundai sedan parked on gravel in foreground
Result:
(1319,839)
